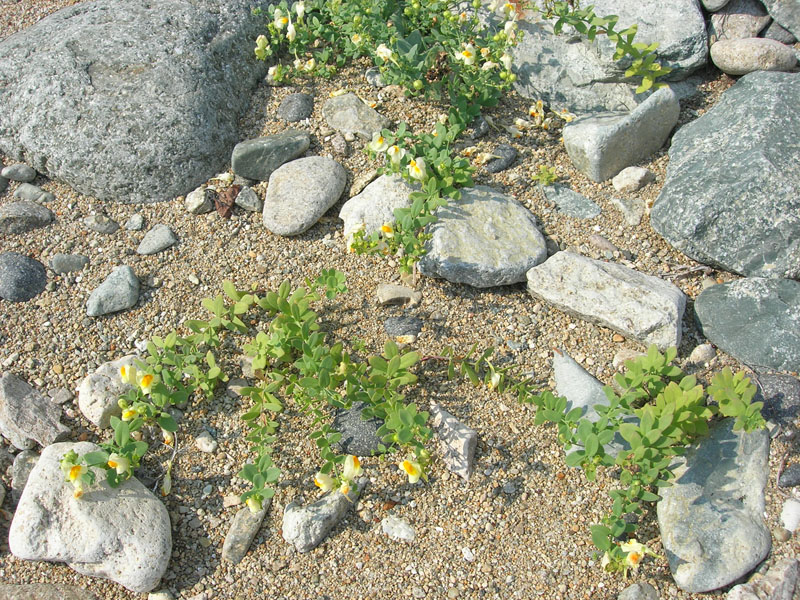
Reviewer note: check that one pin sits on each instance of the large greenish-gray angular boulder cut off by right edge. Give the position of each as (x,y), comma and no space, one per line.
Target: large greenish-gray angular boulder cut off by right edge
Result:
(731,198)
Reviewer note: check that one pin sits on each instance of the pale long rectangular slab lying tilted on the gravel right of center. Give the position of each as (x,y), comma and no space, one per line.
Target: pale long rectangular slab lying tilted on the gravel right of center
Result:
(639,306)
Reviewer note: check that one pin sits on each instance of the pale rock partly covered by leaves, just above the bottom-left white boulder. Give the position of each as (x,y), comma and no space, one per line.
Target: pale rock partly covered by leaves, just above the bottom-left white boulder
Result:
(99,392)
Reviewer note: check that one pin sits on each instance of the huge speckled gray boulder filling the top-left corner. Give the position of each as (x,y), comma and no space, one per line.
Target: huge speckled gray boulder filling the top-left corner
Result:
(128,100)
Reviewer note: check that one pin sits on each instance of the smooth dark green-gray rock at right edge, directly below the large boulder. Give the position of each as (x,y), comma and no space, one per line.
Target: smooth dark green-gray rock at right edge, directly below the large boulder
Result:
(754,320)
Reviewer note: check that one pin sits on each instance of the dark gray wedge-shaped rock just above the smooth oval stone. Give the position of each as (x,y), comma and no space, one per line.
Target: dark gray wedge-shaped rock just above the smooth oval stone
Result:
(258,158)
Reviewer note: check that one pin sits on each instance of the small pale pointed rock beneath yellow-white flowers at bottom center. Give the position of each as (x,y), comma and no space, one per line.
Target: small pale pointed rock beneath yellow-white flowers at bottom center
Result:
(305,527)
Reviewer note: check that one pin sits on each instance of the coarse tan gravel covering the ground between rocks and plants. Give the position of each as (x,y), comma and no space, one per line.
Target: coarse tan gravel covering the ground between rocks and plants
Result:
(523,517)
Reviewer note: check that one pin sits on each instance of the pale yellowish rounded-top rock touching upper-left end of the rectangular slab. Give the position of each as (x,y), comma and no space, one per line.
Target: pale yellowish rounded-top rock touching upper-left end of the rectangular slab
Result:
(486,239)
